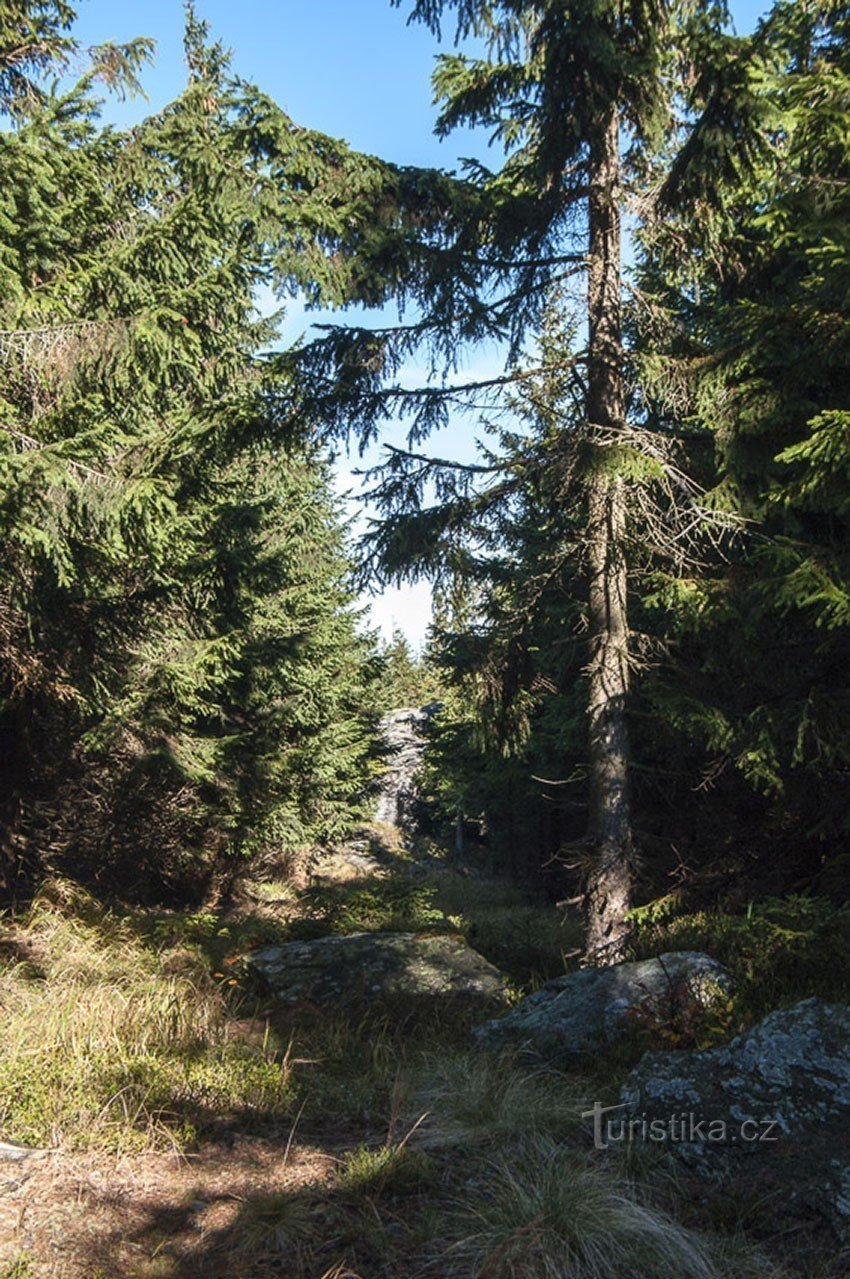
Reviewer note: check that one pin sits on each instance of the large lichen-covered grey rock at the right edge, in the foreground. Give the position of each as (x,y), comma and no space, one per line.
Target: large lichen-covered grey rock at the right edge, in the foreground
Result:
(770,1110)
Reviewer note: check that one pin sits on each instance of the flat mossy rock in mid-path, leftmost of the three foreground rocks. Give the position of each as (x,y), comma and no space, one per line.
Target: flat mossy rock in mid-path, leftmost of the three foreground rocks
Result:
(367,968)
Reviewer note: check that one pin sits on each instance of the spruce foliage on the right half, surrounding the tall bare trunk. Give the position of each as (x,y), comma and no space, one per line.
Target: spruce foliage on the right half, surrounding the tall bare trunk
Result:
(736,368)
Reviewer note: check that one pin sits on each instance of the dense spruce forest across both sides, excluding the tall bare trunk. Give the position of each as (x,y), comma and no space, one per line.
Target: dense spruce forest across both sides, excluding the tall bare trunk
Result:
(186,687)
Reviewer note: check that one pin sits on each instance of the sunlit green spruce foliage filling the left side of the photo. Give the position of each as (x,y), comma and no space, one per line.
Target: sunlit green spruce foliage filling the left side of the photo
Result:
(182,684)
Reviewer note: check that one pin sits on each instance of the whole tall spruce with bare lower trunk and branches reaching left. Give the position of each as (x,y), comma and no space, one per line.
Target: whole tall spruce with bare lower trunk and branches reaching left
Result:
(581,98)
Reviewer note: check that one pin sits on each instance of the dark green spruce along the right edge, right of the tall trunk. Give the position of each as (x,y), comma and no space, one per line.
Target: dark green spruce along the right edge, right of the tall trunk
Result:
(746,341)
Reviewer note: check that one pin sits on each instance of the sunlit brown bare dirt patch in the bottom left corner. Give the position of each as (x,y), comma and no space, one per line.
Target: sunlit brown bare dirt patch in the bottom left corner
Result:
(98,1217)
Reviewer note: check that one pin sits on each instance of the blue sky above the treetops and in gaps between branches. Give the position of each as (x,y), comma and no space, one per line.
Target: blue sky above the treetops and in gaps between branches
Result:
(352,68)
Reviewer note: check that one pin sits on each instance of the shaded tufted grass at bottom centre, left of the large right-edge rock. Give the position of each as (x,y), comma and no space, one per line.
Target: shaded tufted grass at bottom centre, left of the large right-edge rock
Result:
(490,1181)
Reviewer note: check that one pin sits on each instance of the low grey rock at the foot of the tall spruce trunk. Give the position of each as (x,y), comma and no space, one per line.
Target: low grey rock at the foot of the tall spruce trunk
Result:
(577,1015)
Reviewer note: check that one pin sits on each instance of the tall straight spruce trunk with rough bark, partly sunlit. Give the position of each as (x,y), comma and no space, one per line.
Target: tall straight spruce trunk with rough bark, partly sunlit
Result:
(608,895)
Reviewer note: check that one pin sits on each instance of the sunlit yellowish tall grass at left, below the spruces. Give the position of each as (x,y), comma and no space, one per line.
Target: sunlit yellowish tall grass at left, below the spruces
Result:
(111,1044)
